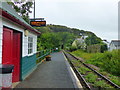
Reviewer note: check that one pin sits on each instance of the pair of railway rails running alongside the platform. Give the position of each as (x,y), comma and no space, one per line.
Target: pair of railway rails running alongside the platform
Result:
(86,84)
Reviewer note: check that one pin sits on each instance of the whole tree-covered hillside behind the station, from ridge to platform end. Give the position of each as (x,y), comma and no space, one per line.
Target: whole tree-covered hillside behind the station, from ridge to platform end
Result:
(62,37)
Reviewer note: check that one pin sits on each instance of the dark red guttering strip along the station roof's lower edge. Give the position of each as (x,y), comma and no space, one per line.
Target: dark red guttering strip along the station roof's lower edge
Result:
(12,18)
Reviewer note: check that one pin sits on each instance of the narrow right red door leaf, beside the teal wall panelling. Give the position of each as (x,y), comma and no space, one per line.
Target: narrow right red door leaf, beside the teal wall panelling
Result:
(16,56)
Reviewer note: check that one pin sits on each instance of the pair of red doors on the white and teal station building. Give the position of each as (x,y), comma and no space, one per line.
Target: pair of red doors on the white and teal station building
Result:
(11,51)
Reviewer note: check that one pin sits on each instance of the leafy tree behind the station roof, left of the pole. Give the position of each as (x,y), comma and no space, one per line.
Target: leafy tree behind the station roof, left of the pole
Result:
(22,8)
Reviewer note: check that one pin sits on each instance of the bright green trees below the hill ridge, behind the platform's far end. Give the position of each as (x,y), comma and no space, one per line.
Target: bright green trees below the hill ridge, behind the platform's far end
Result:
(53,40)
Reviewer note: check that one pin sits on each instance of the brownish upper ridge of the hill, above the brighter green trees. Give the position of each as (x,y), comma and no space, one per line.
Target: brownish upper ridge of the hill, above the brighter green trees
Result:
(60,28)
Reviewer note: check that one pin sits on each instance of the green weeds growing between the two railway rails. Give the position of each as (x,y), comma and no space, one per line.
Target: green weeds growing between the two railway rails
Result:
(91,77)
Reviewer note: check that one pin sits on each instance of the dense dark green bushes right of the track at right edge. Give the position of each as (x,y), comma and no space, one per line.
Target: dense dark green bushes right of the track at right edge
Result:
(109,62)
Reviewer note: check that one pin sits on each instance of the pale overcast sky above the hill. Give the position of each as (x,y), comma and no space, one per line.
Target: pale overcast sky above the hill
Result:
(98,16)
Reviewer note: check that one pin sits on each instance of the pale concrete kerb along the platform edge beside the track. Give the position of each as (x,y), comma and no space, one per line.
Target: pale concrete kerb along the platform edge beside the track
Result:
(75,80)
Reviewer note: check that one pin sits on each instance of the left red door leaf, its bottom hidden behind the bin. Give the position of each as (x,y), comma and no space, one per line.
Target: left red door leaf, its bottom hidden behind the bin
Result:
(7,46)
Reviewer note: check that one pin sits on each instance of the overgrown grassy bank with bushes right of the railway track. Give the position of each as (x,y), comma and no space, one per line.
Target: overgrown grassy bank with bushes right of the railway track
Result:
(108,62)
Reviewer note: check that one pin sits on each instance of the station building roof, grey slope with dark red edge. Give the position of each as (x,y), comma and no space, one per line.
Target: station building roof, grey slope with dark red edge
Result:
(9,13)
